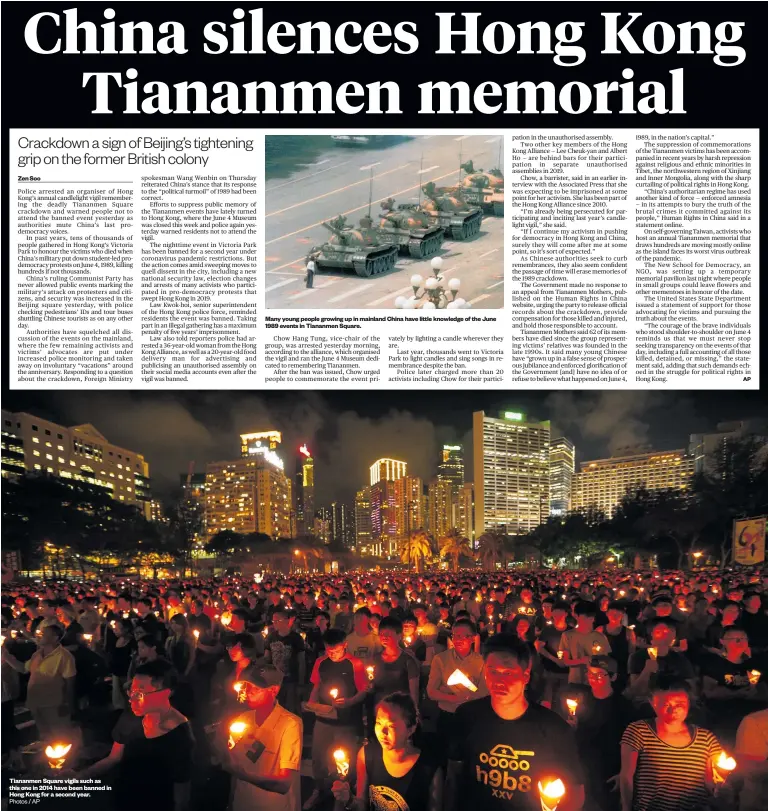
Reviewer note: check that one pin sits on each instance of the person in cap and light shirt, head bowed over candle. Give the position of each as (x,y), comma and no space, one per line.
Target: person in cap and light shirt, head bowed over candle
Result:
(266,757)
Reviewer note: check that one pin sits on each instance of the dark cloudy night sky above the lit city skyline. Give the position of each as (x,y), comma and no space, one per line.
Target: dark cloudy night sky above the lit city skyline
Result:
(347,431)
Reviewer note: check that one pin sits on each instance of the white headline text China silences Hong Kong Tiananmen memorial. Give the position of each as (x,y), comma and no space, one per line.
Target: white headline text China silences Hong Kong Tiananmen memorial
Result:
(247,33)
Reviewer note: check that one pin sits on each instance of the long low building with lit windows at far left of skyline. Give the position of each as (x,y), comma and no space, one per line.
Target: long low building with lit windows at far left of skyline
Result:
(80,453)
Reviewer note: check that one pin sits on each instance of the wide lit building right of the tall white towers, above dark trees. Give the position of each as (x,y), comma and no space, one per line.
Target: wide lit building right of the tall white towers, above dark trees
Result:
(602,483)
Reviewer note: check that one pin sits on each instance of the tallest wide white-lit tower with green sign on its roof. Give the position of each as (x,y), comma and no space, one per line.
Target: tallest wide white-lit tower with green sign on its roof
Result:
(511,462)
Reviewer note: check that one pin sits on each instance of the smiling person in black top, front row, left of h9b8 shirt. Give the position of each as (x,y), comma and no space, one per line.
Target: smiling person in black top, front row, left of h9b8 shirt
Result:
(392,773)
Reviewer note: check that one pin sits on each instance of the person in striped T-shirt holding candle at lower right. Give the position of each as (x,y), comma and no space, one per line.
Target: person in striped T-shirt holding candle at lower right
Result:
(666,763)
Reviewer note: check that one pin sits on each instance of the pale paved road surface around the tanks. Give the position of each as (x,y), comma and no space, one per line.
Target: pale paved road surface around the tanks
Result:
(338,183)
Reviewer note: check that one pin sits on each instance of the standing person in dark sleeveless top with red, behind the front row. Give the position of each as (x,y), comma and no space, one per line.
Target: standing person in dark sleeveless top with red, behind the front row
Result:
(339,681)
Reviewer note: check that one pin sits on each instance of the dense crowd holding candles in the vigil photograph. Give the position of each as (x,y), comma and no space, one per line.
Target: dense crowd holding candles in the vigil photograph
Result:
(608,690)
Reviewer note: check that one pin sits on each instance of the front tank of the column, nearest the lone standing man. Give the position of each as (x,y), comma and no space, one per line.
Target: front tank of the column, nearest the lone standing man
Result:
(349,248)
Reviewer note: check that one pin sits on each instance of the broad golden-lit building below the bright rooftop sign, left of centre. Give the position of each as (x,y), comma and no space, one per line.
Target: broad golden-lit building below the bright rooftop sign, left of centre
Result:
(248,495)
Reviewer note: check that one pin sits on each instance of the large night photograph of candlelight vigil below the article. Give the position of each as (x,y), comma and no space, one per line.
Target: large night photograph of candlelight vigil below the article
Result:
(385,601)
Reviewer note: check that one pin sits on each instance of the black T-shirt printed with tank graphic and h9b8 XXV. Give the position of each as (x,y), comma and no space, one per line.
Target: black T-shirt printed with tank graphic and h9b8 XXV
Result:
(503,761)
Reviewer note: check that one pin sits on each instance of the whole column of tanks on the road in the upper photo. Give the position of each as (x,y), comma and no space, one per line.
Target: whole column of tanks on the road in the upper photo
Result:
(416,230)
